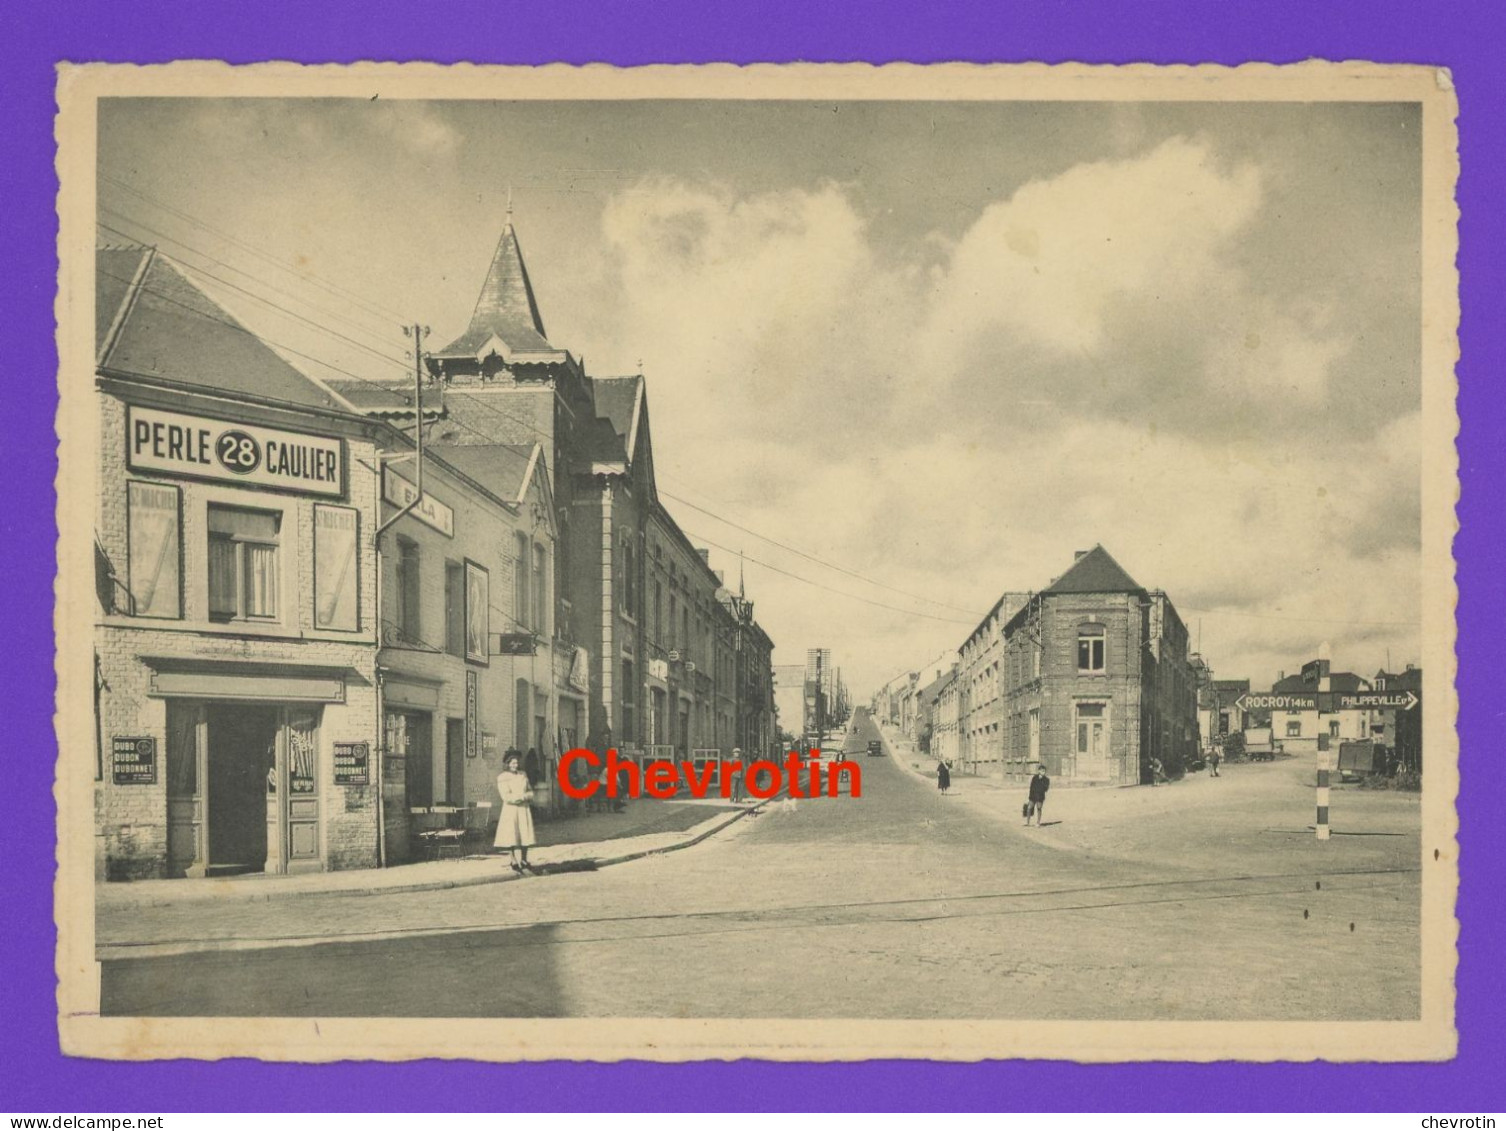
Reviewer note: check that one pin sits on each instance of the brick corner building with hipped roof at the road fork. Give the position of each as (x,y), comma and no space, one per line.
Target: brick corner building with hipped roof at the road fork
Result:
(1097,680)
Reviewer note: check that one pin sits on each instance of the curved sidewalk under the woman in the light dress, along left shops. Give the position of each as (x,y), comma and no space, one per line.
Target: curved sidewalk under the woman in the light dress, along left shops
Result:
(644,828)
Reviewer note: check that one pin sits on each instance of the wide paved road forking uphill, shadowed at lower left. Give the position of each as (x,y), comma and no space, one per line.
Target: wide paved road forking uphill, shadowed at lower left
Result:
(895,904)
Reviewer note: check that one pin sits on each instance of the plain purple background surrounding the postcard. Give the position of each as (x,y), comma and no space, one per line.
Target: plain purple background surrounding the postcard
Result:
(1465,37)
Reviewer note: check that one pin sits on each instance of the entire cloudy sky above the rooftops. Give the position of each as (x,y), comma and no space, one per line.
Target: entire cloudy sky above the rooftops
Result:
(937,346)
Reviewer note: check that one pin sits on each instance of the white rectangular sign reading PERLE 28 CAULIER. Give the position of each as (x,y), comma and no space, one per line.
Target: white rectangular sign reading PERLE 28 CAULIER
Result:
(203,448)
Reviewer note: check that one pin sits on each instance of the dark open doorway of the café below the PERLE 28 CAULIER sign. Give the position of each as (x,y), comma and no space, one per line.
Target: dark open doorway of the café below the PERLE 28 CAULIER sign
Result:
(243,755)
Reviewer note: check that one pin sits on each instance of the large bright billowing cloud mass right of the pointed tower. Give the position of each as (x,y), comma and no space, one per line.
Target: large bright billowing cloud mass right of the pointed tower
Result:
(1090,362)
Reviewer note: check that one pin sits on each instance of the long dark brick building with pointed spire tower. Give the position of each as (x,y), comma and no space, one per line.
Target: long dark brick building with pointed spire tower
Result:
(632,588)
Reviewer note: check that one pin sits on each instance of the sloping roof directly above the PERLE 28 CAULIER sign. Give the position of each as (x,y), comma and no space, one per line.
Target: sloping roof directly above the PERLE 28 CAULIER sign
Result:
(169,329)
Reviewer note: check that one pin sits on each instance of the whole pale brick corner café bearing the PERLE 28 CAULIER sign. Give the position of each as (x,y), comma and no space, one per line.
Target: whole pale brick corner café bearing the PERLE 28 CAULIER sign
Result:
(236,620)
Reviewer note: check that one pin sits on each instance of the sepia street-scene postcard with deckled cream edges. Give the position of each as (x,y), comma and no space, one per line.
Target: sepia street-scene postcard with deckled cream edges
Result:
(796,562)
